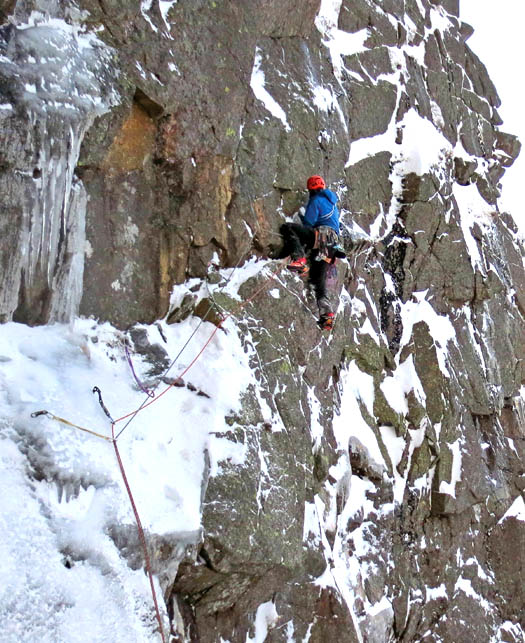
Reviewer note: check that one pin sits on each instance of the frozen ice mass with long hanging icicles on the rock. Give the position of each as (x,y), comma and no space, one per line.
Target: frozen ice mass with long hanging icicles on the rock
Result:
(61,78)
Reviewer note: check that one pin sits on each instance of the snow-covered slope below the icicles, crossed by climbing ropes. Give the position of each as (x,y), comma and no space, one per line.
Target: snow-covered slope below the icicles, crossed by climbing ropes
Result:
(64,499)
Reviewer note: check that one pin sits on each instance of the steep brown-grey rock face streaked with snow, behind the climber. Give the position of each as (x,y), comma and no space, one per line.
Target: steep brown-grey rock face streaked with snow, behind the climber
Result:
(380,497)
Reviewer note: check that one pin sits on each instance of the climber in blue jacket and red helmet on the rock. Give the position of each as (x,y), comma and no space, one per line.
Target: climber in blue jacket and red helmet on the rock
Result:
(318,236)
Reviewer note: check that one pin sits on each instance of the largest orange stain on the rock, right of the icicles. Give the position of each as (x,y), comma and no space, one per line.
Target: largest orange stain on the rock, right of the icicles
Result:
(133,145)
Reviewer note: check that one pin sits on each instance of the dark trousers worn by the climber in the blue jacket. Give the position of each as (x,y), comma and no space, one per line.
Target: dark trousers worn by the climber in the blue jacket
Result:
(298,240)
